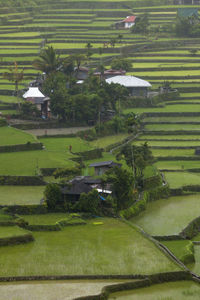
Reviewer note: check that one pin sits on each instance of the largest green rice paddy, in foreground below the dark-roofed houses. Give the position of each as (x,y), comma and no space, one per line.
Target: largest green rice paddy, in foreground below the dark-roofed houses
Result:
(109,248)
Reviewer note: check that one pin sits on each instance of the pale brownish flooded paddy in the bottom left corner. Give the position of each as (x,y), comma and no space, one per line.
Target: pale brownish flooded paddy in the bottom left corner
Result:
(52,290)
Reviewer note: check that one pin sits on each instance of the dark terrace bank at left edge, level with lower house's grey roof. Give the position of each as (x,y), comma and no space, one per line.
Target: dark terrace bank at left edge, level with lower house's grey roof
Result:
(22,180)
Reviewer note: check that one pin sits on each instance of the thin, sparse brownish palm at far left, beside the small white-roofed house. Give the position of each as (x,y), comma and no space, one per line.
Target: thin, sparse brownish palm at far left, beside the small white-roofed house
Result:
(14,75)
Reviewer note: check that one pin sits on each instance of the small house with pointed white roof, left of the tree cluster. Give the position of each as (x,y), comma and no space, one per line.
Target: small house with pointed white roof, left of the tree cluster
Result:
(42,102)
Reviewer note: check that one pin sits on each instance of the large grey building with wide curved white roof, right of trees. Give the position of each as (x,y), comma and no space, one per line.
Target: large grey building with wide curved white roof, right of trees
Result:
(137,87)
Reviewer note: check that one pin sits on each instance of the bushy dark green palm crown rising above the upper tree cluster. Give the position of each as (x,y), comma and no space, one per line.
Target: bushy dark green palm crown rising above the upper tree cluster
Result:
(48,61)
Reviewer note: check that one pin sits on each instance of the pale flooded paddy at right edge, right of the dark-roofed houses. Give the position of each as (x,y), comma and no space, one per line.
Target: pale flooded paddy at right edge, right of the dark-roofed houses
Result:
(169,216)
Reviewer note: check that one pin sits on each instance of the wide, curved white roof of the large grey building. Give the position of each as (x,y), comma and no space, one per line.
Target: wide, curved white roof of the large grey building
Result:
(128,81)
